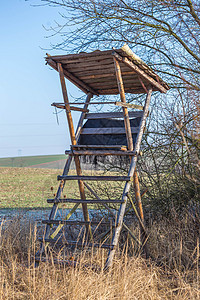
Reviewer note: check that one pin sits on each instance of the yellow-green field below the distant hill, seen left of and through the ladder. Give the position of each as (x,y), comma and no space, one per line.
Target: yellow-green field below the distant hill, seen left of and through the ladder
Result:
(31,187)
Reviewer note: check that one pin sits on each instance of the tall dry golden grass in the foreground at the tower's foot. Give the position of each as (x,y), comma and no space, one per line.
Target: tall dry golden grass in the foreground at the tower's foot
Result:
(131,277)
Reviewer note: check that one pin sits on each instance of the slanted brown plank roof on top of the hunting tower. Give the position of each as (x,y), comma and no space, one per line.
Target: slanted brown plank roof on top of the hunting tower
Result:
(95,72)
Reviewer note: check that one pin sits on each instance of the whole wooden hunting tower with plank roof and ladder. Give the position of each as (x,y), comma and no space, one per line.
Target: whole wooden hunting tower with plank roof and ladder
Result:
(110,133)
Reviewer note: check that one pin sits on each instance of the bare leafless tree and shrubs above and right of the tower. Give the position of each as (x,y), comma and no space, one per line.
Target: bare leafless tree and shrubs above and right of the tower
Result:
(165,33)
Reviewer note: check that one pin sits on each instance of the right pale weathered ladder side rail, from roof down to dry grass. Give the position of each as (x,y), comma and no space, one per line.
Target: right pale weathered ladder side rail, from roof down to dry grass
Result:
(128,184)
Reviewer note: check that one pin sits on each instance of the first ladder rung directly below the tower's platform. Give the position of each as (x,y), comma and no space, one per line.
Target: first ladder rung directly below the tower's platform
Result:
(95,178)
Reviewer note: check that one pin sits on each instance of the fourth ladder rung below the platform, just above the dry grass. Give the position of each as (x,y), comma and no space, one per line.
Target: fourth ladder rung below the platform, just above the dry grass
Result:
(77,244)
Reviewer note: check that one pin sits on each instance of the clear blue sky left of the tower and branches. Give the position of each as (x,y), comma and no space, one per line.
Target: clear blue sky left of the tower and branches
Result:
(27,86)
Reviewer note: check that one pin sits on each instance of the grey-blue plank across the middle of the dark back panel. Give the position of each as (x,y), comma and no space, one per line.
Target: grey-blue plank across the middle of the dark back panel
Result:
(114,130)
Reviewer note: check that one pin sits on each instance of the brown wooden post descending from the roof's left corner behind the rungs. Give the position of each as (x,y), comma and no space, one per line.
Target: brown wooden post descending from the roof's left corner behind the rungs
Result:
(73,140)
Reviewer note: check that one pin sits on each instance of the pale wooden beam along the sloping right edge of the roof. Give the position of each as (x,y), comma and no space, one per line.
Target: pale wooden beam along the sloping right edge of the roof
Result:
(144,75)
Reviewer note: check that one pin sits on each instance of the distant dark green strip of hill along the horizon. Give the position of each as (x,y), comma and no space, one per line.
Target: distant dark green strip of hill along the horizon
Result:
(27,161)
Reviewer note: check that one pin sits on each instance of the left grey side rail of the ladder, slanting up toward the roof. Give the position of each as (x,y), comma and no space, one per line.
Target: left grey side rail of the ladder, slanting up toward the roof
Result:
(67,166)
